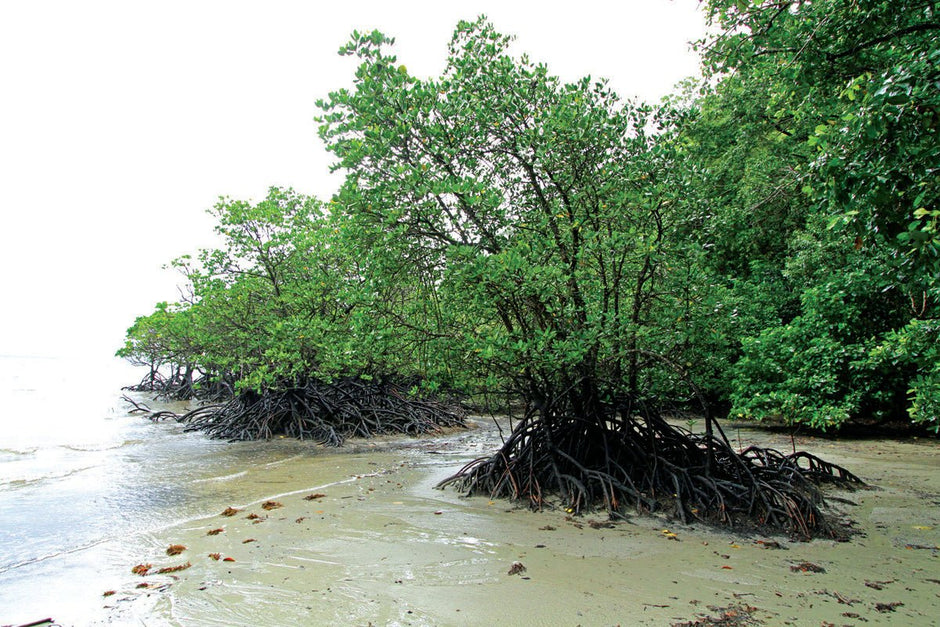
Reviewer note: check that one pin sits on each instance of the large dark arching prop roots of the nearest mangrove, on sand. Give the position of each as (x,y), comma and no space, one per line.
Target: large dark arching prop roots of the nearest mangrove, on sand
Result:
(645,462)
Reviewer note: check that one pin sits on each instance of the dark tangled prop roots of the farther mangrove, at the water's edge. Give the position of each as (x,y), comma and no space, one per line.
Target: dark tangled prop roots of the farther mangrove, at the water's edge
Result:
(325,412)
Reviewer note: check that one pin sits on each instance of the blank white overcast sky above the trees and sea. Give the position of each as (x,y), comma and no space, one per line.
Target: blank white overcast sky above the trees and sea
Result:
(122,121)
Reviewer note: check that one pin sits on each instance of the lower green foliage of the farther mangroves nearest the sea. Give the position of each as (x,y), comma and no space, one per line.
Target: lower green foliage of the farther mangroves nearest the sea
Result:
(285,298)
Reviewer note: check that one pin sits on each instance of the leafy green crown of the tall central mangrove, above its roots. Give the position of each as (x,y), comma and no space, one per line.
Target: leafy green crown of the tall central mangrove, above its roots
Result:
(543,212)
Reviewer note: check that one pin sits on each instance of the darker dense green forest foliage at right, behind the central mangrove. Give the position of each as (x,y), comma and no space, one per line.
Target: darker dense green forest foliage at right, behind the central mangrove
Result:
(820,149)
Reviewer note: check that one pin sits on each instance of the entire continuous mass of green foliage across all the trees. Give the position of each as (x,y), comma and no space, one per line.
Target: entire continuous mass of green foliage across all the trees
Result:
(767,242)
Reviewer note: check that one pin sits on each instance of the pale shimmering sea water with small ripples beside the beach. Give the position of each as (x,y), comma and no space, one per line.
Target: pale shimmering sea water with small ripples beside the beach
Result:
(83,482)
